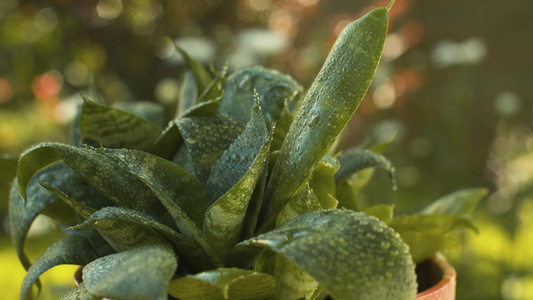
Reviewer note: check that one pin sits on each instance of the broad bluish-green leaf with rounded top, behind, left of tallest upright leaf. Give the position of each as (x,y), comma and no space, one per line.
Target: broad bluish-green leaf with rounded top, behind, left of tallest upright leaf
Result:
(275,91)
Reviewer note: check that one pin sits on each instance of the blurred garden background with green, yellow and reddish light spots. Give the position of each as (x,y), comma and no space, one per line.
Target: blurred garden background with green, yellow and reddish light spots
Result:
(454,85)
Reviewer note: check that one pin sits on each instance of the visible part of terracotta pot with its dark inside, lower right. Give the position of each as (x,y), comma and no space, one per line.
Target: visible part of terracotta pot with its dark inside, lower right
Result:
(436,279)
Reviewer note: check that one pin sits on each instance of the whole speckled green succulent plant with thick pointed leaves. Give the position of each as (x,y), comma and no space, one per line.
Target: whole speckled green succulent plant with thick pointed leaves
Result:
(237,198)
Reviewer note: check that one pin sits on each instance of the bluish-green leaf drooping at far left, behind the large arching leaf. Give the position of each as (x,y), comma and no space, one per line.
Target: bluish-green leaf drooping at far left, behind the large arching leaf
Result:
(21,215)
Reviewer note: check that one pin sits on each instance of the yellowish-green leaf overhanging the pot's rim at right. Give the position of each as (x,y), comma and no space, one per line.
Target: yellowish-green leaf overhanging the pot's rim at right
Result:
(415,229)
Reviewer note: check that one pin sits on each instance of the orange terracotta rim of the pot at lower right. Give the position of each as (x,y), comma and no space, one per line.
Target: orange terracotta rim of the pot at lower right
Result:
(445,288)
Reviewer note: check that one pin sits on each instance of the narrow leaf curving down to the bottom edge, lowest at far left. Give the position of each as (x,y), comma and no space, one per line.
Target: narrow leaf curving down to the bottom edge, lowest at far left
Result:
(71,249)
